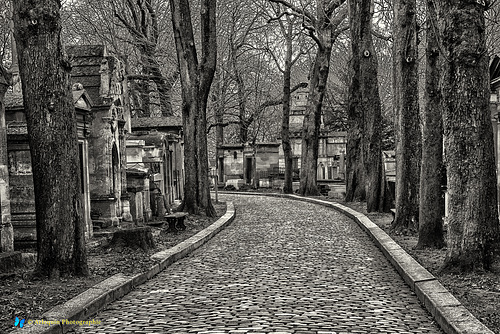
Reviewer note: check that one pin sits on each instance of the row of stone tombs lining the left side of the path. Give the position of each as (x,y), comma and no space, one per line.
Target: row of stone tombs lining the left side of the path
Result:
(131,168)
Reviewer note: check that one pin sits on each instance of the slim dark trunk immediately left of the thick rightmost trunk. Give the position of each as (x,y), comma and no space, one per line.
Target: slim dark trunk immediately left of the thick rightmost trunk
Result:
(430,231)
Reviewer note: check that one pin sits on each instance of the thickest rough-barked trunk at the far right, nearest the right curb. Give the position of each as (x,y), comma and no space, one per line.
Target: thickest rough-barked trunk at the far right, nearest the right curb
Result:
(473,227)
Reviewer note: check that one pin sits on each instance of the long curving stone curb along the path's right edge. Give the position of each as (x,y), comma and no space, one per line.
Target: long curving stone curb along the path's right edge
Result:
(447,311)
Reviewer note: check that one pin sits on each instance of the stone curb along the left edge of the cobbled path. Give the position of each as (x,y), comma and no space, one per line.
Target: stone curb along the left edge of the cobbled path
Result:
(97,297)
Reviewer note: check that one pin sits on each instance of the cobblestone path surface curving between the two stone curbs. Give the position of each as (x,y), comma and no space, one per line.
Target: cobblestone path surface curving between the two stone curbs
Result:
(282,266)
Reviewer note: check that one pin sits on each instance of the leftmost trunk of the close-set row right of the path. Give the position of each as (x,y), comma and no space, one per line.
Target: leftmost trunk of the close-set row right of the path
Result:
(365,115)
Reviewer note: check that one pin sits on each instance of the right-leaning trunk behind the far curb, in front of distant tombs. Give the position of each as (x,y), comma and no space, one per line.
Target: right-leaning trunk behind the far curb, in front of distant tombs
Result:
(312,118)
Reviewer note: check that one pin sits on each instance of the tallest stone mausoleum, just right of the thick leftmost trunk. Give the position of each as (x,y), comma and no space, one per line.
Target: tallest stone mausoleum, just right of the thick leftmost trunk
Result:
(104,79)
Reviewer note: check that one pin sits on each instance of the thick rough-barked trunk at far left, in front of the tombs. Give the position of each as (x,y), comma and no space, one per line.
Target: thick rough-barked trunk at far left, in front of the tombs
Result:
(51,121)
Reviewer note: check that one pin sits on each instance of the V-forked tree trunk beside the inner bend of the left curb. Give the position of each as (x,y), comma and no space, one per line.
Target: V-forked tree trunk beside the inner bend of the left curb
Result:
(196,79)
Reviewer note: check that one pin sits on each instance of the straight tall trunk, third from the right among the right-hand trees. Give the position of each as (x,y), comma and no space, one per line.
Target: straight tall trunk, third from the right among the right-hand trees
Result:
(408,143)
